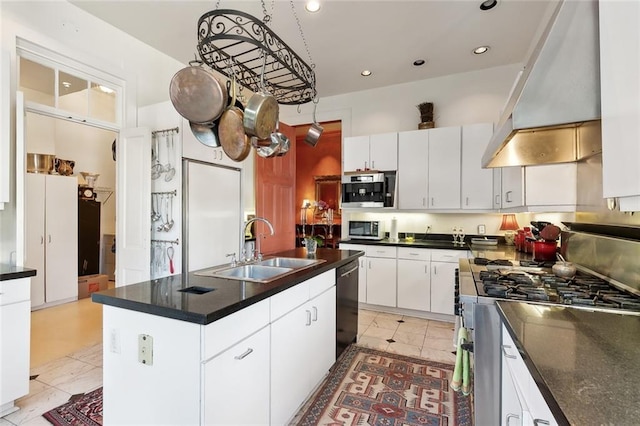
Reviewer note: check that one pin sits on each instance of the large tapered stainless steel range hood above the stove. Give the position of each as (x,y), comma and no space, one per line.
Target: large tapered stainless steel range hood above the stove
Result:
(553,112)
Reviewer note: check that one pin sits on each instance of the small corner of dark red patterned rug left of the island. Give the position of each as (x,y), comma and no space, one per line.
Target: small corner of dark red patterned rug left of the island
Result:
(81,410)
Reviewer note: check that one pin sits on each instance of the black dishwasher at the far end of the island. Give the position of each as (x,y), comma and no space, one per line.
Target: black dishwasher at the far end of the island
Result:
(346,306)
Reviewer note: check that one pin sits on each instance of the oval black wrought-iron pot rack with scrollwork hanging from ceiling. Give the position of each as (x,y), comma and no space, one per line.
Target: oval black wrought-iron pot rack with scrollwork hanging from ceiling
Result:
(231,37)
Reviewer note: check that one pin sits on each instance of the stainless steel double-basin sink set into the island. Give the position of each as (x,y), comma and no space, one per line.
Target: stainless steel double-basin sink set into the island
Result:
(264,271)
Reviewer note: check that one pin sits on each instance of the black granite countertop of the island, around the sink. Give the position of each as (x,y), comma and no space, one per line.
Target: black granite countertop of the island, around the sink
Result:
(162,296)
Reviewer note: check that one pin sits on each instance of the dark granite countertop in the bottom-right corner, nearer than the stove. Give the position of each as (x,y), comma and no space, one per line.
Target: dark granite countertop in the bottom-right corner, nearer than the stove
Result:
(584,362)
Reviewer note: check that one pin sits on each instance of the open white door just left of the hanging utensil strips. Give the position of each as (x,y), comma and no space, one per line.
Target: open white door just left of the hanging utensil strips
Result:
(133,233)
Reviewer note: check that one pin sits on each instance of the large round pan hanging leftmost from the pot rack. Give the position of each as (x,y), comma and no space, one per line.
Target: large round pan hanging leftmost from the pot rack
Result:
(197,94)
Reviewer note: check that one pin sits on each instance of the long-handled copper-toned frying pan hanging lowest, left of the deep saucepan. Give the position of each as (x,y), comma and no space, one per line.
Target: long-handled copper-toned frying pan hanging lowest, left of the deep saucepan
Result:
(231,130)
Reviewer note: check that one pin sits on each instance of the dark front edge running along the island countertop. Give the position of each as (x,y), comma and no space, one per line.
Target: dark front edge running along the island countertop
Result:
(105,298)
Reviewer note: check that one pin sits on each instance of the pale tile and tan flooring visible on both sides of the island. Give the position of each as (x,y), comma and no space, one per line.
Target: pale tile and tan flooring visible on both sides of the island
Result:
(66,351)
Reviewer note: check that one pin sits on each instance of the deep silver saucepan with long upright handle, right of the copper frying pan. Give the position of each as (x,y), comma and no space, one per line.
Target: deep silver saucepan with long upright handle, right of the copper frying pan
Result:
(261,112)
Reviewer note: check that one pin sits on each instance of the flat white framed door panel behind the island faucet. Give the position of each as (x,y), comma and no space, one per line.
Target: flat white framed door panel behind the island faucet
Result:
(213,219)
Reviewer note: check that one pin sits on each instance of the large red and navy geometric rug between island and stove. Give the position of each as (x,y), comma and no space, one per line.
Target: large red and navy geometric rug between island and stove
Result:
(370,387)
